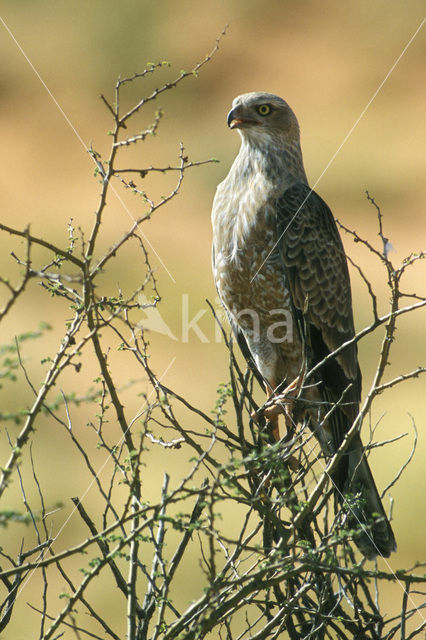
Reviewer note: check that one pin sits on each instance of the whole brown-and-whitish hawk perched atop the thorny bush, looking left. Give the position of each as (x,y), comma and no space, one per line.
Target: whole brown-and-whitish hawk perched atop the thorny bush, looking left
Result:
(281,274)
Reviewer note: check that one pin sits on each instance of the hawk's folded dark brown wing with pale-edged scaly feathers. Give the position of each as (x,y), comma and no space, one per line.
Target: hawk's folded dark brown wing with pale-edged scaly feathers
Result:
(316,268)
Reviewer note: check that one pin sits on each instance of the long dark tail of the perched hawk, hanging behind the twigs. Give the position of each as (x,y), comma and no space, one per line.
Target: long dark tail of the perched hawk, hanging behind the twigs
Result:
(367,514)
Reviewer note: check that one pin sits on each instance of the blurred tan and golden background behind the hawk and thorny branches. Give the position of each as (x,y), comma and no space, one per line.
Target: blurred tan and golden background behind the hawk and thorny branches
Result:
(327,59)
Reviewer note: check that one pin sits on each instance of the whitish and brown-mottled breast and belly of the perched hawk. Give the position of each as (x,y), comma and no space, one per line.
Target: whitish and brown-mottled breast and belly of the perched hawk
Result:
(251,283)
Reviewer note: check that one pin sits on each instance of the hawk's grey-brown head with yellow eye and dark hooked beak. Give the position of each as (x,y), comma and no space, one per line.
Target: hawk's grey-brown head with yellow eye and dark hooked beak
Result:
(260,115)
